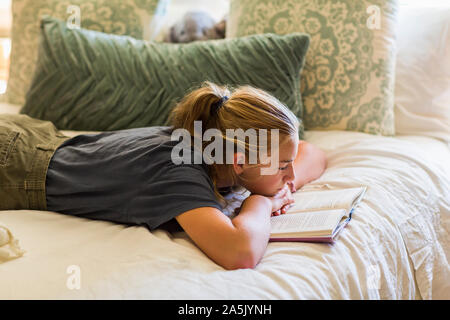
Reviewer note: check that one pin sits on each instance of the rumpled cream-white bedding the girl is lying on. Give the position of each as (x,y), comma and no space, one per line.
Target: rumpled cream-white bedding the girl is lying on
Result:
(396,246)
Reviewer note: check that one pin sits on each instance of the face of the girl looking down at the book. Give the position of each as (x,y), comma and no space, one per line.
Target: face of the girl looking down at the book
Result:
(250,177)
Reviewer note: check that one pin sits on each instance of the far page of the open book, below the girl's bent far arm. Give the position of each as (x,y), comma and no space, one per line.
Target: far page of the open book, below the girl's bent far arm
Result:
(326,199)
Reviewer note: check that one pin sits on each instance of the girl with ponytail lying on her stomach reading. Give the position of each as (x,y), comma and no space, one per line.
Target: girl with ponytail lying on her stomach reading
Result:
(135,177)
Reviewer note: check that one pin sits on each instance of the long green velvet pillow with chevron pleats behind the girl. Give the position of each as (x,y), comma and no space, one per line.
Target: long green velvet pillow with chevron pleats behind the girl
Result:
(89,80)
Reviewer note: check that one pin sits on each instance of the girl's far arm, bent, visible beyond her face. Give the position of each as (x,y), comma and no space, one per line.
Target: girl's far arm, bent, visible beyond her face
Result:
(309,164)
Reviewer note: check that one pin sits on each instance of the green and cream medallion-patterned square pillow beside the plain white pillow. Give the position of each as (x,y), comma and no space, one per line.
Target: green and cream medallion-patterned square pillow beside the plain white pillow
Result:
(348,79)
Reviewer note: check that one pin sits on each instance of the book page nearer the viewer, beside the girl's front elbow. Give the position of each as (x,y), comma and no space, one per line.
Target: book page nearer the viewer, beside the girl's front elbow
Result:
(323,222)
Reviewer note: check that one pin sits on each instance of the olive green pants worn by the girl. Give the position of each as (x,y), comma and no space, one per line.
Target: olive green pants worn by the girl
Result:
(26,147)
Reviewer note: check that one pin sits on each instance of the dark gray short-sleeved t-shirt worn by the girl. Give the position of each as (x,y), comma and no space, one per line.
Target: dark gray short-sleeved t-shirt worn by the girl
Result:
(126,176)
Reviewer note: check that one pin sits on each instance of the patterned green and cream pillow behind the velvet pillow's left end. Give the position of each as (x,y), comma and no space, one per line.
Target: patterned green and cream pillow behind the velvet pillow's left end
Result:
(128,17)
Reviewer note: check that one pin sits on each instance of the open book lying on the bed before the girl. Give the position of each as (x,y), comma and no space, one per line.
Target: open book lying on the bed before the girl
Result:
(316,216)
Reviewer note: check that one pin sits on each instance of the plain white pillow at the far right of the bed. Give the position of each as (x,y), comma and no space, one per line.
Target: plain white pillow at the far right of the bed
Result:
(422,86)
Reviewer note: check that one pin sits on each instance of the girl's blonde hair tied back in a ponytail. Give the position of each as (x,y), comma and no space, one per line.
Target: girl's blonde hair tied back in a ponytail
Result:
(243,108)
